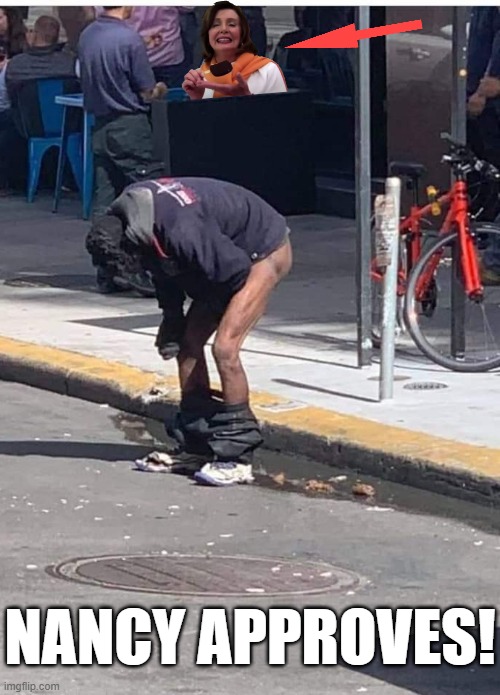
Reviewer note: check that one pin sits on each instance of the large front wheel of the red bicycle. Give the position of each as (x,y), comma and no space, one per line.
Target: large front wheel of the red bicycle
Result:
(452,330)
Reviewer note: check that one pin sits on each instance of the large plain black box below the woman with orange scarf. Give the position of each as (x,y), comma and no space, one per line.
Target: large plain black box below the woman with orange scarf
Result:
(263,143)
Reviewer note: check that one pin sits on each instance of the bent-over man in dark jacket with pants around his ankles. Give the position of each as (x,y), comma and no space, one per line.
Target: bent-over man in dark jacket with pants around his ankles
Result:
(226,249)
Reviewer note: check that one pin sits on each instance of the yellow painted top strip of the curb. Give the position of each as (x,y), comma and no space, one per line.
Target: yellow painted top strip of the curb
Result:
(325,425)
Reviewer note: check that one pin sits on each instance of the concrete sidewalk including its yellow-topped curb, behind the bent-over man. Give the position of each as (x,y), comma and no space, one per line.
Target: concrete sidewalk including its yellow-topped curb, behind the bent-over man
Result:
(301,359)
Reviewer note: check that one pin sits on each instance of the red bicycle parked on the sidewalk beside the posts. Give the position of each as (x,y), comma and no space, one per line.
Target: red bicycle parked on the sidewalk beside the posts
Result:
(442,302)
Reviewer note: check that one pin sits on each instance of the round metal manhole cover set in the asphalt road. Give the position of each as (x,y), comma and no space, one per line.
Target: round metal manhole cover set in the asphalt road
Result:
(199,575)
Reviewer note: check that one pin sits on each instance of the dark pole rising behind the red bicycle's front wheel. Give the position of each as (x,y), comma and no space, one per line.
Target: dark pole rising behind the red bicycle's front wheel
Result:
(458,132)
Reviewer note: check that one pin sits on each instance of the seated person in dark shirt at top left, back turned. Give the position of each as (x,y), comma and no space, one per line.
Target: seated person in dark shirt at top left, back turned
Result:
(43,58)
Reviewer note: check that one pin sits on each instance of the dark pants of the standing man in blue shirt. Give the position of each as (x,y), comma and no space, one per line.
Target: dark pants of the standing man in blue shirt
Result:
(123,154)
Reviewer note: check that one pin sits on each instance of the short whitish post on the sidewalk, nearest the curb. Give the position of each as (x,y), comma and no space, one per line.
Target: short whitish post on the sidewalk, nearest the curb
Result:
(390,233)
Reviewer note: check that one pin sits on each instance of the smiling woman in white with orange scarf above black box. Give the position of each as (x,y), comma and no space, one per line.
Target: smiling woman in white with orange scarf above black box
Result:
(226,40)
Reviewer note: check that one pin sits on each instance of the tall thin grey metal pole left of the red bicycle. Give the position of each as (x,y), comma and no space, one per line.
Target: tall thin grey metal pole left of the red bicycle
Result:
(363,193)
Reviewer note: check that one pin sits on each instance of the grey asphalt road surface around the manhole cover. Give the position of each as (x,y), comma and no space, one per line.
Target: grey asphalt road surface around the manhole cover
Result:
(68,490)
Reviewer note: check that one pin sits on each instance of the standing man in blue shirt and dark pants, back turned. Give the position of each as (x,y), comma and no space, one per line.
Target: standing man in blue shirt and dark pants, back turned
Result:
(118,84)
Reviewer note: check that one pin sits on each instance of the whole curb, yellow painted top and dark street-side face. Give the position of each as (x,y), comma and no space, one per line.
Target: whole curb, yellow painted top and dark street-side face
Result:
(464,471)
